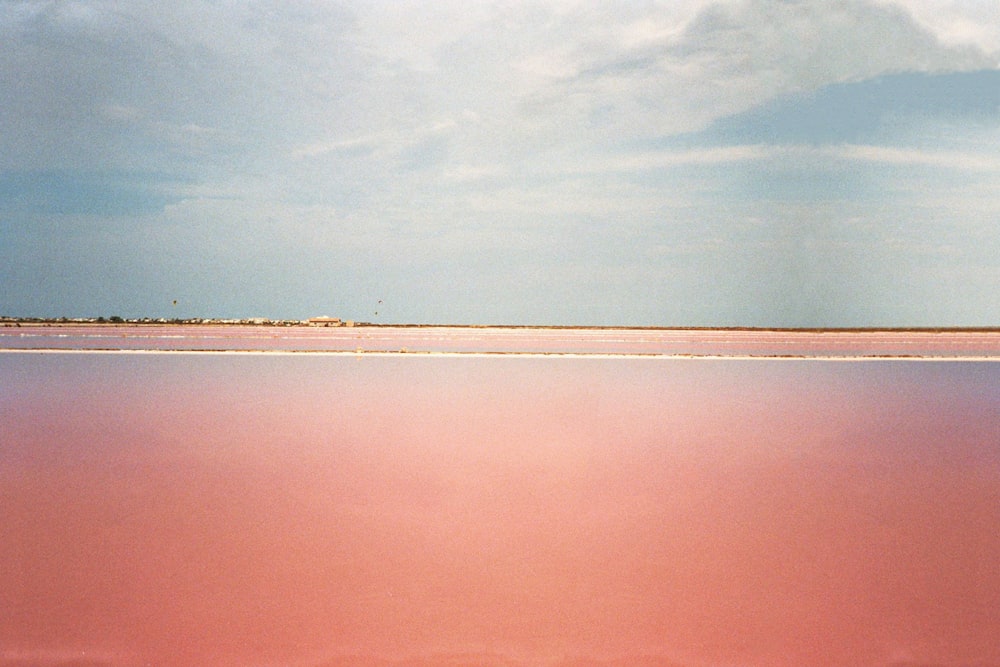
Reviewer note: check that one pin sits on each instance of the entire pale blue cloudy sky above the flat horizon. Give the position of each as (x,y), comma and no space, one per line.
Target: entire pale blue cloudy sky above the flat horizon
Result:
(674,163)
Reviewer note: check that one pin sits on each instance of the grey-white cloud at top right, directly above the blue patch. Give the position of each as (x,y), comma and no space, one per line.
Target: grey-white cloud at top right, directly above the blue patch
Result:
(753,50)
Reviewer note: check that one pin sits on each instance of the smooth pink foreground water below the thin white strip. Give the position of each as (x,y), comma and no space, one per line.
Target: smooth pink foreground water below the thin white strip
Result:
(319,511)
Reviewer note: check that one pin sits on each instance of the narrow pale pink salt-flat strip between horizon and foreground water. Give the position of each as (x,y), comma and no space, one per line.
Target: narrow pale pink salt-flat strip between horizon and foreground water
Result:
(462,340)
